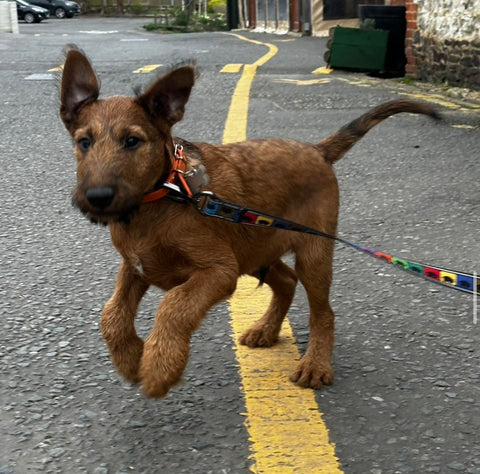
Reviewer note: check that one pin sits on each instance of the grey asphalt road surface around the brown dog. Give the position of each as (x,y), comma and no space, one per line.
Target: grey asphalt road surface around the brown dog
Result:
(407,389)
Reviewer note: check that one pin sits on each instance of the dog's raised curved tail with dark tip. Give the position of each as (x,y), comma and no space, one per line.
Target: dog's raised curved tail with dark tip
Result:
(336,145)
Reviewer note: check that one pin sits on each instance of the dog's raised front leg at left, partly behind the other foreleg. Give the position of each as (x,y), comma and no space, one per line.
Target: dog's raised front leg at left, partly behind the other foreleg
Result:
(118,327)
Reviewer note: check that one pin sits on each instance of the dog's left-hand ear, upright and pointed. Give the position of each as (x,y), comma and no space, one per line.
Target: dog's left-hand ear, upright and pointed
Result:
(80,85)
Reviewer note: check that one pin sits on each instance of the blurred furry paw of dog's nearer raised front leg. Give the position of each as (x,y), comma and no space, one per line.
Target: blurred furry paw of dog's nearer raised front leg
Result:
(162,366)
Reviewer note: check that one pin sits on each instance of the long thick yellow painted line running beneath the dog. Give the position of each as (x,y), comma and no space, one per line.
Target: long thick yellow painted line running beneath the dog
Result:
(287,431)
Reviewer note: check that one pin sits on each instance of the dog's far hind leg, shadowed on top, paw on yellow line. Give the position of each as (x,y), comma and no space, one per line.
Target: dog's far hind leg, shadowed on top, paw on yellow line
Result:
(264,333)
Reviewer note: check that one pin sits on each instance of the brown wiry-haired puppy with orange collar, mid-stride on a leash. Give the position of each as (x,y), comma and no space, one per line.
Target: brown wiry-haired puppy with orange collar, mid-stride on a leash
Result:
(124,149)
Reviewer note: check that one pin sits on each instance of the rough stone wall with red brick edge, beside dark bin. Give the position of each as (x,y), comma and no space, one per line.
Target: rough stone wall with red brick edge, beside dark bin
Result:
(443,44)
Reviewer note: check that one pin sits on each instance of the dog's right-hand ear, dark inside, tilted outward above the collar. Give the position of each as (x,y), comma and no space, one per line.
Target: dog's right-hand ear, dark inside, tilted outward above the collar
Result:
(165,99)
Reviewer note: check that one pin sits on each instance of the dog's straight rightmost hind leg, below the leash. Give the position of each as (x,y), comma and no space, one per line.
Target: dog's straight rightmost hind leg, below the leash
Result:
(314,269)
